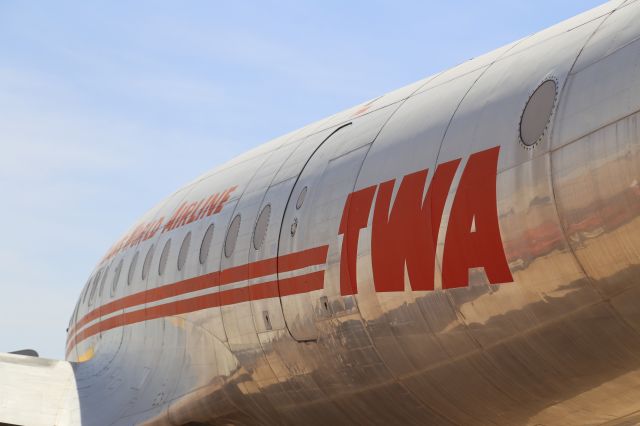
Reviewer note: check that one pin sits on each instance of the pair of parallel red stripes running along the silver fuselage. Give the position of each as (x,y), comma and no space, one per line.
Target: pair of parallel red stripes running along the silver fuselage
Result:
(261,268)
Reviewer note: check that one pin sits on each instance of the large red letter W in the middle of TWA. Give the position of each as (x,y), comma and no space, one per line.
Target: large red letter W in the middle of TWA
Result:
(408,234)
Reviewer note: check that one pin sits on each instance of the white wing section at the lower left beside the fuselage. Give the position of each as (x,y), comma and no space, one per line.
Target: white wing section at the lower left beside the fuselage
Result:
(36,391)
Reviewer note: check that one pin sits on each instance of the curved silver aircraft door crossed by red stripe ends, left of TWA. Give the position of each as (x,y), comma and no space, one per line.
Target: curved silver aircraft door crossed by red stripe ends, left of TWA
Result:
(309,243)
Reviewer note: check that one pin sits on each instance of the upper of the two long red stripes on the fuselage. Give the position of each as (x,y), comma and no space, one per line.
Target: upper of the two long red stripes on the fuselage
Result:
(261,268)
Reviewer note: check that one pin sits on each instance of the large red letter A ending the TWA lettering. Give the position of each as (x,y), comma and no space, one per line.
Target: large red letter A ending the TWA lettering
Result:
(468,246)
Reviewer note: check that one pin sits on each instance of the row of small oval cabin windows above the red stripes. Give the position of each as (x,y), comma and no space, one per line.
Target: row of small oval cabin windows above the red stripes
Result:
(259,233)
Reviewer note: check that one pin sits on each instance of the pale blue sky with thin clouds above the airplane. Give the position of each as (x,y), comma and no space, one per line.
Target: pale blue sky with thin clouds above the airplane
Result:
(106,107)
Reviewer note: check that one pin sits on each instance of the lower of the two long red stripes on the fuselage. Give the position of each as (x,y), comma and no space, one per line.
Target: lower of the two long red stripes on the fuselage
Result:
(289,286)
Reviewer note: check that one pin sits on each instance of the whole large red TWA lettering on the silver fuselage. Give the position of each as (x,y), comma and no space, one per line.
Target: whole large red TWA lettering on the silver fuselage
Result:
(405,232)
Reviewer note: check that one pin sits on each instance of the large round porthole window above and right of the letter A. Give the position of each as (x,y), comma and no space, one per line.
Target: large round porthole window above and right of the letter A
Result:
(537,113)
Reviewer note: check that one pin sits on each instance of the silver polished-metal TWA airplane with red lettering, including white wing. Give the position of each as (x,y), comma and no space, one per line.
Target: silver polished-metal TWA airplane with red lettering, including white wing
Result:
(464,250)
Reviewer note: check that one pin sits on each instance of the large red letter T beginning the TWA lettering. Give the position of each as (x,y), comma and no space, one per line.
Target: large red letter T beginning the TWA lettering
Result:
(354,217)
